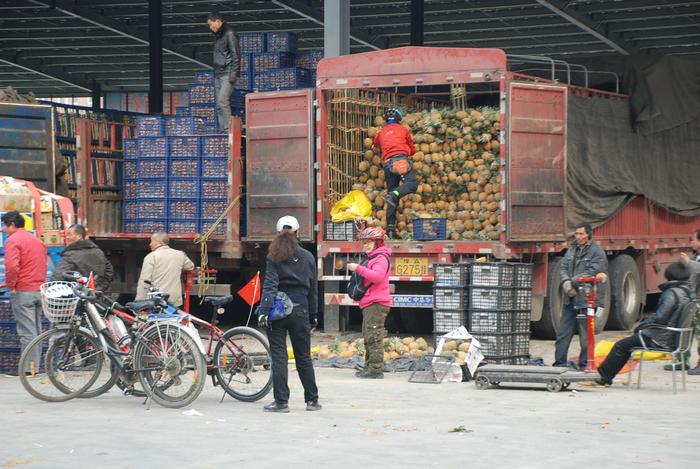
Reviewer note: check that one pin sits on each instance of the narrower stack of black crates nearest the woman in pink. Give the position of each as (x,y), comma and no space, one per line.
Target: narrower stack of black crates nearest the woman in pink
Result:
(450,297)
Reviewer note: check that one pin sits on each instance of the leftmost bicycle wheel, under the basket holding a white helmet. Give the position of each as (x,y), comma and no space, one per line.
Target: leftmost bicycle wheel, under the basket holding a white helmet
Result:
(54,371)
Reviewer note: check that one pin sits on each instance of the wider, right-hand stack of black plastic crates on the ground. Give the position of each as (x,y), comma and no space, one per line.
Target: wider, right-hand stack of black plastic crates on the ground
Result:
(499,298)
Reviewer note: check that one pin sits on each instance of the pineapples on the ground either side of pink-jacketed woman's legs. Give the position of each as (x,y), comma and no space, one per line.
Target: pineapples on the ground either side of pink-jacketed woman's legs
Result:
(394,347)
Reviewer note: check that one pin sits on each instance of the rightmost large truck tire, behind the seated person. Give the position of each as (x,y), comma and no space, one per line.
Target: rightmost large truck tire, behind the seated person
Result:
(626,292)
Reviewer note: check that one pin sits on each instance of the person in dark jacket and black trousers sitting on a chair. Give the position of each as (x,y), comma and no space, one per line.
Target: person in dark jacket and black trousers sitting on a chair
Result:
(676,293)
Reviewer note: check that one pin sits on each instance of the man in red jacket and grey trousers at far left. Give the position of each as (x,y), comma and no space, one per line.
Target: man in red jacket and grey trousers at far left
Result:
(25,271)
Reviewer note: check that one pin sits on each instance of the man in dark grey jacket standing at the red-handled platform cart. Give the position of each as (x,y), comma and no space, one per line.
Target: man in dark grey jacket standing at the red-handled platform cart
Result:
(584,258)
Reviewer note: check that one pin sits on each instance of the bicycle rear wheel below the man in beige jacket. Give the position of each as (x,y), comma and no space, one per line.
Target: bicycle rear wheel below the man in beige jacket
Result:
(171,368)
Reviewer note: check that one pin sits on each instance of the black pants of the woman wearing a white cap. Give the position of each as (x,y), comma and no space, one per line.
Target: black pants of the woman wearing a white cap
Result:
(297,324)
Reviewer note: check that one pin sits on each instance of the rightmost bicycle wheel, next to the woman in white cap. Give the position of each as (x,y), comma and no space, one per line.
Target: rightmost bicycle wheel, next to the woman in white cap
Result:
(242,364)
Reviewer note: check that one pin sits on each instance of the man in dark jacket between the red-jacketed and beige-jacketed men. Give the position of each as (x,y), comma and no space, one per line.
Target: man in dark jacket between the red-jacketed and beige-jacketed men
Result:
(82,255)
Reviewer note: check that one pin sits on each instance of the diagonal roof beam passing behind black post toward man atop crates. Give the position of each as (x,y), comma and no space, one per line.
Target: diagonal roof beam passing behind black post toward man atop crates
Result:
(87,15)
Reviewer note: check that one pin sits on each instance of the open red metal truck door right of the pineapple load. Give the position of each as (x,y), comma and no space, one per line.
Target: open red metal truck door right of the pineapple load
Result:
(536,162)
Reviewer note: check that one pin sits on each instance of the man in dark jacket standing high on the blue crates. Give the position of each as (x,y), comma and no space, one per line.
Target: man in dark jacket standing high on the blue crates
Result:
(227,66)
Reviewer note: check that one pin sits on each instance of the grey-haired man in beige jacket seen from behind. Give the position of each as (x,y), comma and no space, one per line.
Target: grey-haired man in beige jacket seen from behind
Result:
(163,266)
